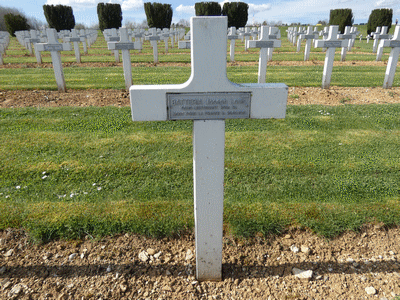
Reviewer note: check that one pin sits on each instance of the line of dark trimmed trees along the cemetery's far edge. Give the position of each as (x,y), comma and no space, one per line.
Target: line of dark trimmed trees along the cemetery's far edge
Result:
(159,15)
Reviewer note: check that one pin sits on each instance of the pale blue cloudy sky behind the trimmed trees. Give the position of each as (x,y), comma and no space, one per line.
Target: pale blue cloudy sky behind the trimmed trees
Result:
(285,11)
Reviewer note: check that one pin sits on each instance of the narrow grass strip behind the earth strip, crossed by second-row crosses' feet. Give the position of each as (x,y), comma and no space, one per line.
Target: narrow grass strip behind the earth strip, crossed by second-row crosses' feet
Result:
(113,78)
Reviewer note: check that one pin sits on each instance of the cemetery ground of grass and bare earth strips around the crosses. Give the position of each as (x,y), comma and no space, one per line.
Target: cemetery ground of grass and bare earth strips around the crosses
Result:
(318,191)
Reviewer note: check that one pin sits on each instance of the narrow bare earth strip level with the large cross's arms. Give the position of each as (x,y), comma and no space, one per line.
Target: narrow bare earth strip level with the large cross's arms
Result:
(297,96)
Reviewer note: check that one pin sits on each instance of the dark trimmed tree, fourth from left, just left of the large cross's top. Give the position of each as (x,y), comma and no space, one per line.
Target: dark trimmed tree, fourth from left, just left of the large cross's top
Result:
(158,15)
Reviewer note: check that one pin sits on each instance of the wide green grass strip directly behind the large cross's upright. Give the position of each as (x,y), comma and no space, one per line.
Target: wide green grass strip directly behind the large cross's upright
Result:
(69,172)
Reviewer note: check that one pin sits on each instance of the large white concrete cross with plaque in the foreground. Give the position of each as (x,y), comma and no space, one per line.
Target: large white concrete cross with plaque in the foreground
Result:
(208,98)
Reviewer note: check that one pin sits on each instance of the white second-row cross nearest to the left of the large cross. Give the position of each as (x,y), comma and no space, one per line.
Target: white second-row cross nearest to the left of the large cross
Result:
(125,45)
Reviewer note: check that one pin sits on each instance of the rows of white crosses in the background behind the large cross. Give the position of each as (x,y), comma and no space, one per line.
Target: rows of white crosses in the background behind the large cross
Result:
(267,42)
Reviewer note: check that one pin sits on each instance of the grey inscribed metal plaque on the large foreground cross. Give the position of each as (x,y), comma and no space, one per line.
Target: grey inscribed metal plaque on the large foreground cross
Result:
(208,106)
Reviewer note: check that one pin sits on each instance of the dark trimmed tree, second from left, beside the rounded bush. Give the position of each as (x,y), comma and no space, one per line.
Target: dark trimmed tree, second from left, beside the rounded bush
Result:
(59,17)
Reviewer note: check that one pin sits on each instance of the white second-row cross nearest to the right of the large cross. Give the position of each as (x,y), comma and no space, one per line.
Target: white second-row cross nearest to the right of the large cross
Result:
(264,43)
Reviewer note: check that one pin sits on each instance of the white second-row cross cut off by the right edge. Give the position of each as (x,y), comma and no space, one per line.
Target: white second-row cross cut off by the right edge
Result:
(394,43)
